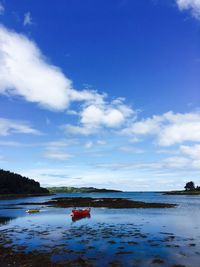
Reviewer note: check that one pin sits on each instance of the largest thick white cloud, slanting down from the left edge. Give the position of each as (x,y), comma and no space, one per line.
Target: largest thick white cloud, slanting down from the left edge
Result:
(25,71)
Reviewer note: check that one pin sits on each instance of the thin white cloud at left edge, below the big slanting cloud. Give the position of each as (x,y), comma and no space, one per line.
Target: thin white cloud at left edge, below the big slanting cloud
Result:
(11,126)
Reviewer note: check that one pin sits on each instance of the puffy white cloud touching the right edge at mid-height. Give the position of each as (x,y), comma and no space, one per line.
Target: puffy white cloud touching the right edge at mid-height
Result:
(169,128)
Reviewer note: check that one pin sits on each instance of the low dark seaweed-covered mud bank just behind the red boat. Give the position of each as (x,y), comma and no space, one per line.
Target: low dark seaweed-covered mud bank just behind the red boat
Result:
(114,203)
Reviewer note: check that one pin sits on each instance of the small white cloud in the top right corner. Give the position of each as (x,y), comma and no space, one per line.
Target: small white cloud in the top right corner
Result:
(192,5)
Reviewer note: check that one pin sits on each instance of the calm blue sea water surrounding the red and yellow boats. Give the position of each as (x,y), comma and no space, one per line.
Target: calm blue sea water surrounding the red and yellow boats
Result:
(132,237)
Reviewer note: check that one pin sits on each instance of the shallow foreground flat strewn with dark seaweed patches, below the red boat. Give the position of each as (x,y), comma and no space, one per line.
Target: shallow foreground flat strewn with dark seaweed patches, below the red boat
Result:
(98,245)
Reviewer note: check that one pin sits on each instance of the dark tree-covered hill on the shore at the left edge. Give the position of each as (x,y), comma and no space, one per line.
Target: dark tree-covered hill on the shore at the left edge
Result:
(12,183)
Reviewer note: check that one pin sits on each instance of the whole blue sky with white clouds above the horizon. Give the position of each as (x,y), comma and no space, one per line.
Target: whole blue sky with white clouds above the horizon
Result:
(101,93)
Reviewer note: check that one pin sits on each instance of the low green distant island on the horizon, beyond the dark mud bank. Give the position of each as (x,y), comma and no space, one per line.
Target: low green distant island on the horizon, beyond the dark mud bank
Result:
(66,189)
